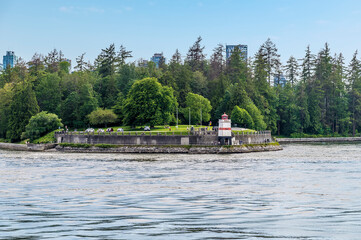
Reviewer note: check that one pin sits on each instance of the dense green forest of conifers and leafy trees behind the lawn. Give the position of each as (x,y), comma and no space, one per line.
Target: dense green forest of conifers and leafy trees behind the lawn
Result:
(322,95)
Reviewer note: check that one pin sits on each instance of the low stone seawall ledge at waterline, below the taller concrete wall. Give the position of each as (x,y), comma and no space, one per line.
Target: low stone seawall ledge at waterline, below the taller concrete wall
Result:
(173,149)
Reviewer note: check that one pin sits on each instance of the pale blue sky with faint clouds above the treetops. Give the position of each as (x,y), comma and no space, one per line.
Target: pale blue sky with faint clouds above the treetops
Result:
(151,26)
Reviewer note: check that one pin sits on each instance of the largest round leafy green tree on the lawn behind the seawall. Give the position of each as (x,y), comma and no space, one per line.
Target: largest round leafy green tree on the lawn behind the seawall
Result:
(148,102)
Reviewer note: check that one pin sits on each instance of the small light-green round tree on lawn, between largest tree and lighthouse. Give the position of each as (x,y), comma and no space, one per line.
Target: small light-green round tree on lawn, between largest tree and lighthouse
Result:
(199,108)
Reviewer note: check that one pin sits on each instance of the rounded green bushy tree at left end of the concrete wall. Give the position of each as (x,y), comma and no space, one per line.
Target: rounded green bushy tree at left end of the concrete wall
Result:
(40,124)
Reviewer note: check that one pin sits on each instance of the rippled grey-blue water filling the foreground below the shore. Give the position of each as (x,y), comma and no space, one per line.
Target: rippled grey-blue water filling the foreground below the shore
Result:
(302,192)
